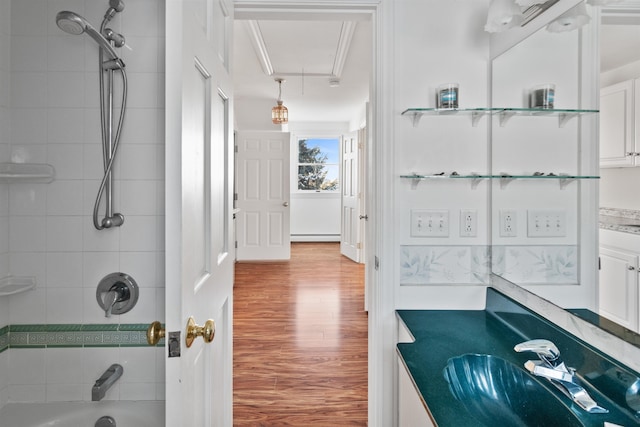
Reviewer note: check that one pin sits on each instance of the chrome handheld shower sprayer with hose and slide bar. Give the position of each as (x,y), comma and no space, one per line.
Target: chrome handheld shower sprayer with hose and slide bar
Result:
(109,63)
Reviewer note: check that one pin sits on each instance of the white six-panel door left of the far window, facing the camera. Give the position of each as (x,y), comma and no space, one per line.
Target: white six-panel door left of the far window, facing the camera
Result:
(262,196)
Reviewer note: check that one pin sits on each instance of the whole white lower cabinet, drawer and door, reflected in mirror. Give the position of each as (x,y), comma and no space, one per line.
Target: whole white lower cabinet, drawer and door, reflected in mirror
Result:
(619,297)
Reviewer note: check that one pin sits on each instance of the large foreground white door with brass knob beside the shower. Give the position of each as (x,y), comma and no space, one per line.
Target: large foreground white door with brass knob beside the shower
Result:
(199,248)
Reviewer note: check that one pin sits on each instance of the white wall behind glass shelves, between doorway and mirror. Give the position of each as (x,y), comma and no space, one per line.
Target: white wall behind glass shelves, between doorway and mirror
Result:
(436,43)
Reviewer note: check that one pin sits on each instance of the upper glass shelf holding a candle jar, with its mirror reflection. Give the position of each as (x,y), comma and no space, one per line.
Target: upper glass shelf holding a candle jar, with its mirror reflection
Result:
(564,115)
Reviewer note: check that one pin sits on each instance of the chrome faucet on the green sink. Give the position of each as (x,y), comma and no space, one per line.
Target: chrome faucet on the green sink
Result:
(552,367)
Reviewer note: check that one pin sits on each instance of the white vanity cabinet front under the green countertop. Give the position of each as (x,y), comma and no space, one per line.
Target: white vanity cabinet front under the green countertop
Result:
(412,411)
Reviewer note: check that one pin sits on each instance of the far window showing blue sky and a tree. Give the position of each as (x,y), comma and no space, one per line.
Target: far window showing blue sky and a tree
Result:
(318,164)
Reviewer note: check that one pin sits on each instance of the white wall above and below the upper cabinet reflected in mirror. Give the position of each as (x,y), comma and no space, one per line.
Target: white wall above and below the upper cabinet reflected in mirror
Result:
(614,182)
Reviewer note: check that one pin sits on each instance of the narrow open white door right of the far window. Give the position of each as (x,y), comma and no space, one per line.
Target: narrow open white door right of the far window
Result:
(350,221)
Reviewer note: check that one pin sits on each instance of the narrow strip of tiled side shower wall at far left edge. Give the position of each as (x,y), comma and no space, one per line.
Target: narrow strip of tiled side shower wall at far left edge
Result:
(4,195)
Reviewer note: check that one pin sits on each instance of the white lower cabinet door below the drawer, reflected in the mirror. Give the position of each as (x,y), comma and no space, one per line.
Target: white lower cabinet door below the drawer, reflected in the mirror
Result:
(618,288)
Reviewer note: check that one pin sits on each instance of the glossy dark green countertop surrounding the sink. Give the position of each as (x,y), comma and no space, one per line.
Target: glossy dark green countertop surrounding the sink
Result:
(442,334)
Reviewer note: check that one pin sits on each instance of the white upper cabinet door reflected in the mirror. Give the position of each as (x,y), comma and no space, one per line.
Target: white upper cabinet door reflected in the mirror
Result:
(617,125)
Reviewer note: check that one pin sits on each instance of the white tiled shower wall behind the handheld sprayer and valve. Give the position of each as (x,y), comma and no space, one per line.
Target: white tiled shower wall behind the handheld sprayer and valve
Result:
(54,117)
